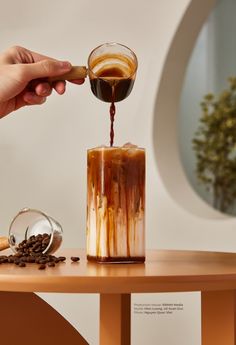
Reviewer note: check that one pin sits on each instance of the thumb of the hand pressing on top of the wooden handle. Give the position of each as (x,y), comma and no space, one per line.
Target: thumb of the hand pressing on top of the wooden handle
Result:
(46,68)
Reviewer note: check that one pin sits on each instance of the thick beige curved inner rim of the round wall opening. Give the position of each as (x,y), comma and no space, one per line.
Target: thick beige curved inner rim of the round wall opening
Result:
(165,125)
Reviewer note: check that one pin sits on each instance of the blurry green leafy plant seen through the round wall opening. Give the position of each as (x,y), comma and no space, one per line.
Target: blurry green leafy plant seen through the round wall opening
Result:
(215,146)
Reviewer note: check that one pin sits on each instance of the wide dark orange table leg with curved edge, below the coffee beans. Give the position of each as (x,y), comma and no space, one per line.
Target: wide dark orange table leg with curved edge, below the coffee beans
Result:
(27,319)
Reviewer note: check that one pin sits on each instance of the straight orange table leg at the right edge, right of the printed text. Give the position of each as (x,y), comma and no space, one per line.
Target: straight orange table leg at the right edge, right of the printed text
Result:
(218,317)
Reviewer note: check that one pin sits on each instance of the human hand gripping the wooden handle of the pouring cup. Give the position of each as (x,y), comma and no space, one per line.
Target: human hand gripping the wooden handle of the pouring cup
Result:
(23,78)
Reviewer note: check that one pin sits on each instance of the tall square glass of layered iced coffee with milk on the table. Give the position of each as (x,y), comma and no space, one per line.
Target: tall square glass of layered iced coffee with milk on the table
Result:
(116,204)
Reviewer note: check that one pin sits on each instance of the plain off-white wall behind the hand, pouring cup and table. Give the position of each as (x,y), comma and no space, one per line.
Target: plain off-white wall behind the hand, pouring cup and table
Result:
(43,149)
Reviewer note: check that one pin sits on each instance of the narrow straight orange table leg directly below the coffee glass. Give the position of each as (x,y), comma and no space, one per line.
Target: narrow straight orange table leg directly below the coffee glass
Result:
(115,319)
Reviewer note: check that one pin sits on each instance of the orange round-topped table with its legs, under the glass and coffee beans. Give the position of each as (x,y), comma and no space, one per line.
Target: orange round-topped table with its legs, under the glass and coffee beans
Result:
(214,274)
